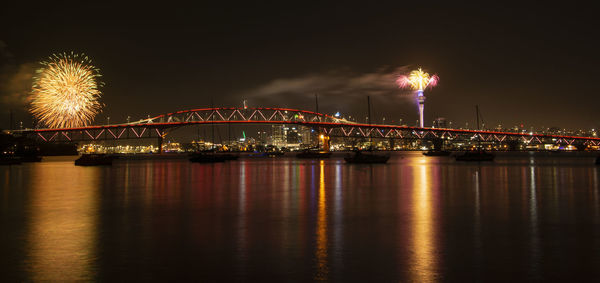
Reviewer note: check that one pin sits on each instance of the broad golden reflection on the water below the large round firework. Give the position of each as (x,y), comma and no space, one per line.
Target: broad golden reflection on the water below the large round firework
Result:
(61,240)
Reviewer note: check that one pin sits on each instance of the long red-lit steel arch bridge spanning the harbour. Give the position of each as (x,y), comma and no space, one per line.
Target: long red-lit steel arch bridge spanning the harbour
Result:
(159,126)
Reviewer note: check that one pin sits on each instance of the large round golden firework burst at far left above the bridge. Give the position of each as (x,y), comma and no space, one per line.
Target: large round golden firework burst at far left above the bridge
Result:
(65,91)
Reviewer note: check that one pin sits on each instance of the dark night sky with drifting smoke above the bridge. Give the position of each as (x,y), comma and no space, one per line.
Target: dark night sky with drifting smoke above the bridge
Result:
(522,64)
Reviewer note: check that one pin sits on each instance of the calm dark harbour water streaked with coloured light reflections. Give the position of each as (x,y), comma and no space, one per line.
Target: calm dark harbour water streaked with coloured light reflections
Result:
(525,217)
